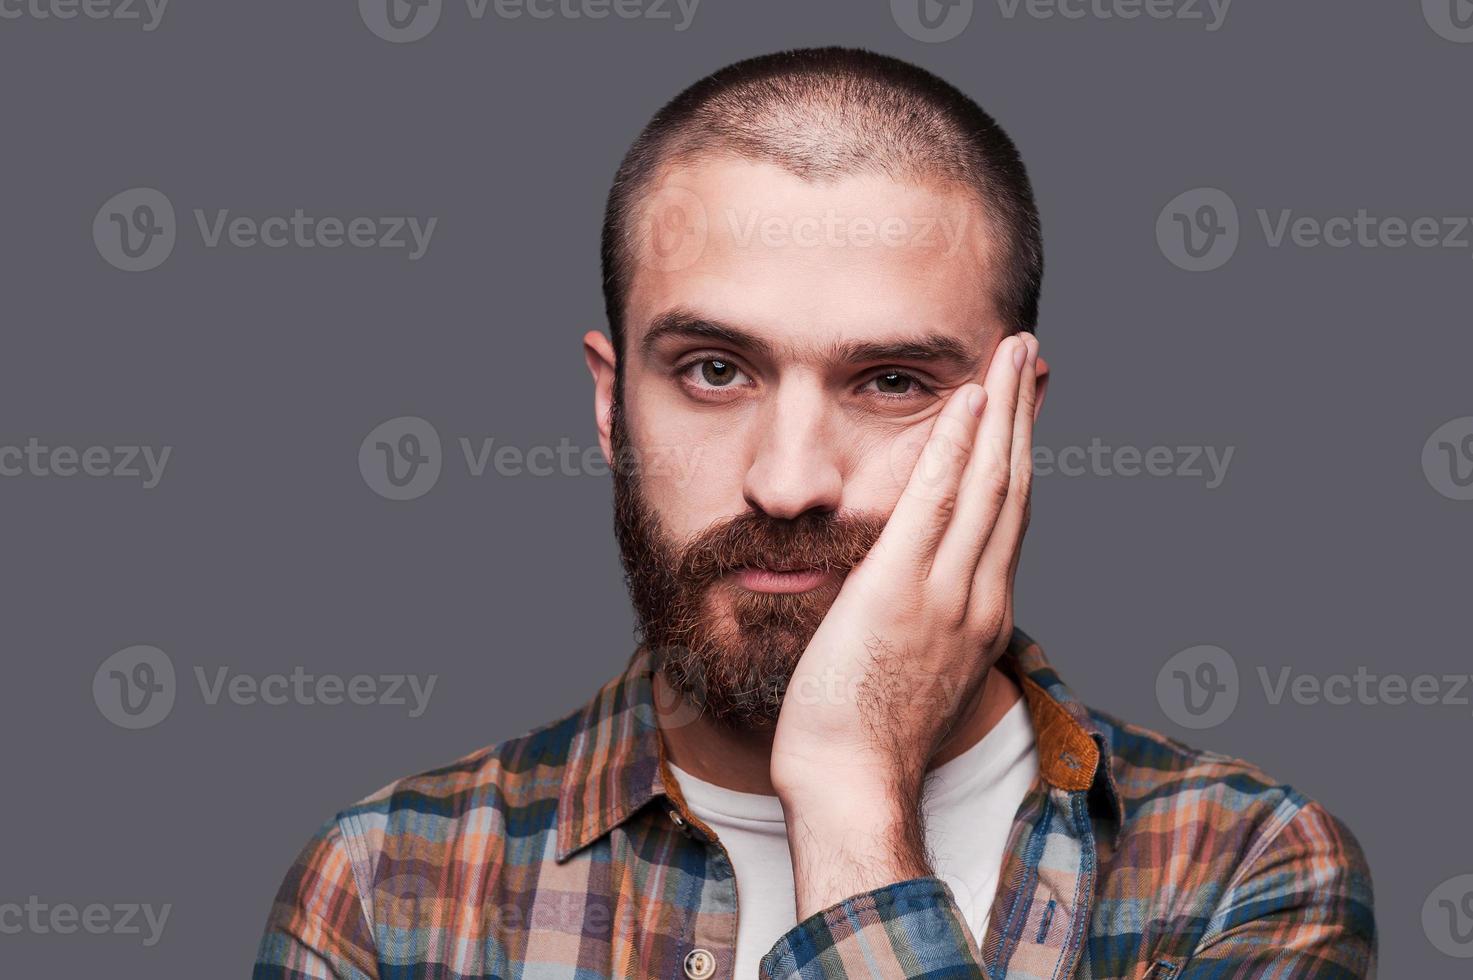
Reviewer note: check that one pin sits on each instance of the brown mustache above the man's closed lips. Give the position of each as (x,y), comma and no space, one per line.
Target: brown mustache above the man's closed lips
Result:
(826,542)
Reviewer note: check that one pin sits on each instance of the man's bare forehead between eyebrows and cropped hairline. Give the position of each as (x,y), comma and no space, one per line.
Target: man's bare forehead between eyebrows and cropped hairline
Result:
(859,259)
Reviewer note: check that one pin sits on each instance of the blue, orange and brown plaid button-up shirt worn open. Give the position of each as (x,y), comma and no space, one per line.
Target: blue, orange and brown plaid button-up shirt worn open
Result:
(569,853)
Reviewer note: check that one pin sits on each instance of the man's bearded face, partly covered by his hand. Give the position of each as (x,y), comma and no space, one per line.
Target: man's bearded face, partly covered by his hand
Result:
(787,350)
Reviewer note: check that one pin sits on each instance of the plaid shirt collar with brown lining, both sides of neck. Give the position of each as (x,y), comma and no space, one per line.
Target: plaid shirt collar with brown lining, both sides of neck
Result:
(616,763)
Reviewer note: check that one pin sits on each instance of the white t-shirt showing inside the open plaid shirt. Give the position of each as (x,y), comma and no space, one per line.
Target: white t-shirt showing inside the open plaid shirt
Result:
(970,805)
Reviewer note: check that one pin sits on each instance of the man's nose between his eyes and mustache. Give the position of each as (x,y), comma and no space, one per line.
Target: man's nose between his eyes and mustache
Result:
(796,458)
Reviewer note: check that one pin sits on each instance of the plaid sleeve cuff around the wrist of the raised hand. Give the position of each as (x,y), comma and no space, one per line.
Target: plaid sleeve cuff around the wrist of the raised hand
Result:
(908,929)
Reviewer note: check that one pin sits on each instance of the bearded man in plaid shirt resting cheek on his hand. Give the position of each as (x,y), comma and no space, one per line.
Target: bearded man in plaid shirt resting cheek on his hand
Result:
(833,754)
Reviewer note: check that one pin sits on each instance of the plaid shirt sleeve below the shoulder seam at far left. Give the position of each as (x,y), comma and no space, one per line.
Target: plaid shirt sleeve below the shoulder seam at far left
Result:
(317,929)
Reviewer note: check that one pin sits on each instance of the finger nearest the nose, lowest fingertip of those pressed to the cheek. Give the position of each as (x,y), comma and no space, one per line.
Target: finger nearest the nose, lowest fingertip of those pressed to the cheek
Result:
(929,500)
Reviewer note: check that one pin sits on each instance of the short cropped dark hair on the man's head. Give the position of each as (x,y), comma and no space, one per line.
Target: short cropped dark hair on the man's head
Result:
(824,114)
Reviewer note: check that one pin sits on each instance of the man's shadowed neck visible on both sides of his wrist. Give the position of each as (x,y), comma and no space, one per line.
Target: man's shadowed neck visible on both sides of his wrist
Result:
(740,760)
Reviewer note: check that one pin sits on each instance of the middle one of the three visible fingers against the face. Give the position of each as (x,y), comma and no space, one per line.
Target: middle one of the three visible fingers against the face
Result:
(985,484)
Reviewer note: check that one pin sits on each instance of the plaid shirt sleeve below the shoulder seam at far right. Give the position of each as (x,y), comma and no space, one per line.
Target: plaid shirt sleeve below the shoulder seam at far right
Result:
(1300,909)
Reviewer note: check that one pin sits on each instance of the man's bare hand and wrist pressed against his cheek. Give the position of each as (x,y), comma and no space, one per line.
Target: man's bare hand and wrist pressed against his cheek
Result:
(910,640)
